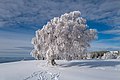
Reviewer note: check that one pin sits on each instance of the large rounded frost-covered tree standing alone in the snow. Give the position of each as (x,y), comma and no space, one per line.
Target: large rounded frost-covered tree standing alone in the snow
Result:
(66,36)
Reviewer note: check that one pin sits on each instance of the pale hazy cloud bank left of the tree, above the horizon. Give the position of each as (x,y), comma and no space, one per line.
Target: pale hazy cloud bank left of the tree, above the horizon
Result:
(15,44)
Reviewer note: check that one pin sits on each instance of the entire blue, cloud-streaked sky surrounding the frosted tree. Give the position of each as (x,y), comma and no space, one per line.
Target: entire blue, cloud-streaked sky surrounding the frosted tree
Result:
(19,19)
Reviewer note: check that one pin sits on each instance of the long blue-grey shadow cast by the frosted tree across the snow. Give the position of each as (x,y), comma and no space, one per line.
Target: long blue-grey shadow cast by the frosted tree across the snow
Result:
(91,64)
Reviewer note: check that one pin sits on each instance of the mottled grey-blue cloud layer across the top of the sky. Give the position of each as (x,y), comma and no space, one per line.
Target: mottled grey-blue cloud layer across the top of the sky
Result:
(38,11)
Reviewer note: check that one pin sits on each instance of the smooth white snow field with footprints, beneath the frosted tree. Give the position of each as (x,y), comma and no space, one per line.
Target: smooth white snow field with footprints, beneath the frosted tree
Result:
(66,70)
